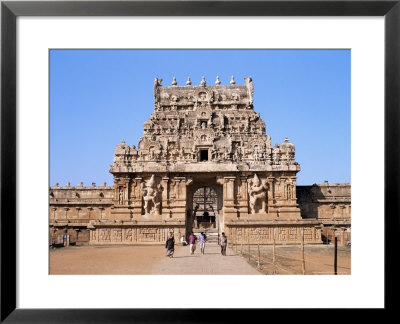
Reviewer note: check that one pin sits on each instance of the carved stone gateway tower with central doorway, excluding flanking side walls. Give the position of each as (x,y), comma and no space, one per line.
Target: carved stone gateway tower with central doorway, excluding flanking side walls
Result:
(206,136)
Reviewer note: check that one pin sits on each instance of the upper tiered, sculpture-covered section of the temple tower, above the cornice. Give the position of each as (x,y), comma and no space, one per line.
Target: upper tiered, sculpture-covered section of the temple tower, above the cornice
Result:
(214,116)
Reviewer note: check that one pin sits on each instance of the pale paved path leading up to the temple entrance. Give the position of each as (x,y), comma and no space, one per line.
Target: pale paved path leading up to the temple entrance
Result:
(211,262)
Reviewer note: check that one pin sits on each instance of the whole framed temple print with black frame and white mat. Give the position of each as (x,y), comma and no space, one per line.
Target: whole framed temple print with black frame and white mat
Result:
(52,51)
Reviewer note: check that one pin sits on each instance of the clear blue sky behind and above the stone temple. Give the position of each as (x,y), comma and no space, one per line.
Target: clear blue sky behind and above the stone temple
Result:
(99,97)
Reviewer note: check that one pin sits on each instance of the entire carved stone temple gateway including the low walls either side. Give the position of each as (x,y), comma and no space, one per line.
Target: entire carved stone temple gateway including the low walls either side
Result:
(204,163)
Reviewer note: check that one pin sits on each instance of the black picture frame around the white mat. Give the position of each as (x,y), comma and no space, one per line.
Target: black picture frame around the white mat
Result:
(10,10)
